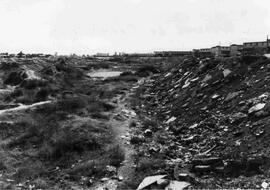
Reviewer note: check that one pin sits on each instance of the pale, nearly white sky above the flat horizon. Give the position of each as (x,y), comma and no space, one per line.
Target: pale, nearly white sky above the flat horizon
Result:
(91,26)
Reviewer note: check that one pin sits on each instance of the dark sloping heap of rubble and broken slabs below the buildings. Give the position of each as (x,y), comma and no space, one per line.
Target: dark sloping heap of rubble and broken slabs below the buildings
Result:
(214,115)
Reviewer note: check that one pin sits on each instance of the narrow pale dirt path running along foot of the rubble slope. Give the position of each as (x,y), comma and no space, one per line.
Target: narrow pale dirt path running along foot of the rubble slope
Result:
(120,122)
